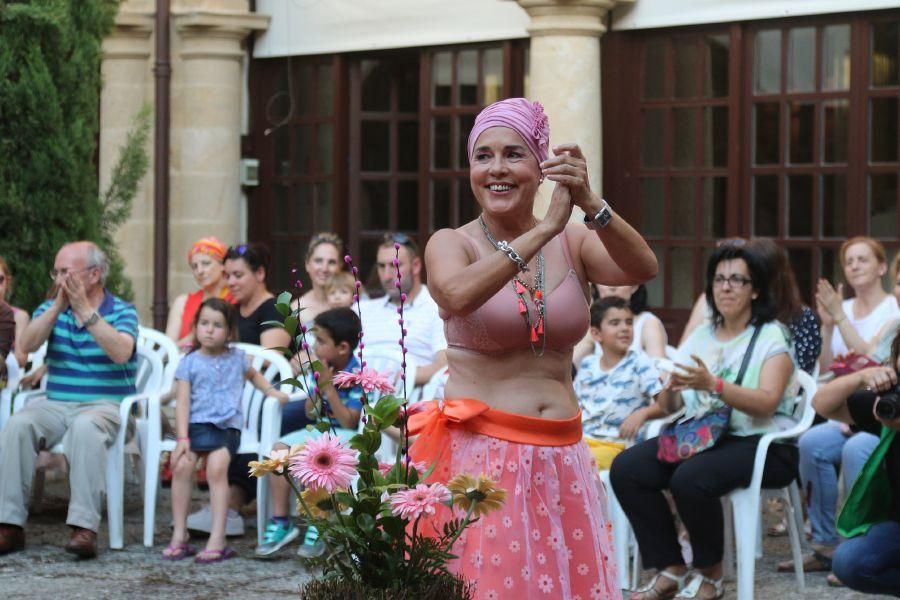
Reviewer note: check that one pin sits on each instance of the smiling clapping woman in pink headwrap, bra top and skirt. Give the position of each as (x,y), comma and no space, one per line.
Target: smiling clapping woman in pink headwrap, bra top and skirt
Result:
(513,292)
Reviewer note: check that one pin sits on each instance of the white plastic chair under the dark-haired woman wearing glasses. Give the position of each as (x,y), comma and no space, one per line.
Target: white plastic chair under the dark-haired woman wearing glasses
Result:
(745,503)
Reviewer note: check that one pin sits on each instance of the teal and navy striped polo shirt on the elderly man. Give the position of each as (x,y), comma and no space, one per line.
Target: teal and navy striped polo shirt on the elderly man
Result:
(78,368)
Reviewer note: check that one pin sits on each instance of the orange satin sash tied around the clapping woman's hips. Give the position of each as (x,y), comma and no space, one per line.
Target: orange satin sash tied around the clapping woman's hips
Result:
(433,423)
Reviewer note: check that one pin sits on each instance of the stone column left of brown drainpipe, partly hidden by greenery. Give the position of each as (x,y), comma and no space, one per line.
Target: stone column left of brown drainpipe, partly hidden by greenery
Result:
(126,87)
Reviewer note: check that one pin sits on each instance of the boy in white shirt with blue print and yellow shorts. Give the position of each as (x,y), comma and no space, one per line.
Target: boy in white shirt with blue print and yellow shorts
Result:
(616,390)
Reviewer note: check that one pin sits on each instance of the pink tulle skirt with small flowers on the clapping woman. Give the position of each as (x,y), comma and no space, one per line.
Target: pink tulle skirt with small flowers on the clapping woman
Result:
(551,539)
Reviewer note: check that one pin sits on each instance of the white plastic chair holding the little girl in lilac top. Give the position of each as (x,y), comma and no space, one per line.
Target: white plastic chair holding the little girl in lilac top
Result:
(262,426)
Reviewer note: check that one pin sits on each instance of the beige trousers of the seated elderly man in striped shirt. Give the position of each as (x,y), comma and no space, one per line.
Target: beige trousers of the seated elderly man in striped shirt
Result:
(86,429)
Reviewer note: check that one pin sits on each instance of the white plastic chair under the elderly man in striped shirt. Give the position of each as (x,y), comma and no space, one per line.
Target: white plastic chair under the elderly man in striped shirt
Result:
(149,383)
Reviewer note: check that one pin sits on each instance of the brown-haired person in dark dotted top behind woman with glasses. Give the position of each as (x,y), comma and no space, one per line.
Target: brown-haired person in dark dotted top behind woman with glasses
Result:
(801,321)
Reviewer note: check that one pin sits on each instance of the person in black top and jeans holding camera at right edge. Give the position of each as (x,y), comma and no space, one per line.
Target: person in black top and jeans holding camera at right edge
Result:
(869,561)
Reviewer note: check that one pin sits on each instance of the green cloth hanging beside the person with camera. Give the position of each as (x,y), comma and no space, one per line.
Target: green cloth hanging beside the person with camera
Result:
(870,499)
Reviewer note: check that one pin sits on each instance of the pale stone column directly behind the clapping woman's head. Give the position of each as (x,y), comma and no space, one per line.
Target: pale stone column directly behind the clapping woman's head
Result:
(565,77)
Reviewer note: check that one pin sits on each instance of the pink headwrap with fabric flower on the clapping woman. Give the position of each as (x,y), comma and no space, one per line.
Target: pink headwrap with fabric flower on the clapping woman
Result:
(522,116)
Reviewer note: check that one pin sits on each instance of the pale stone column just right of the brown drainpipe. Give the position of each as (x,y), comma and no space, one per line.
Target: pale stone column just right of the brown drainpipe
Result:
(208,54)
